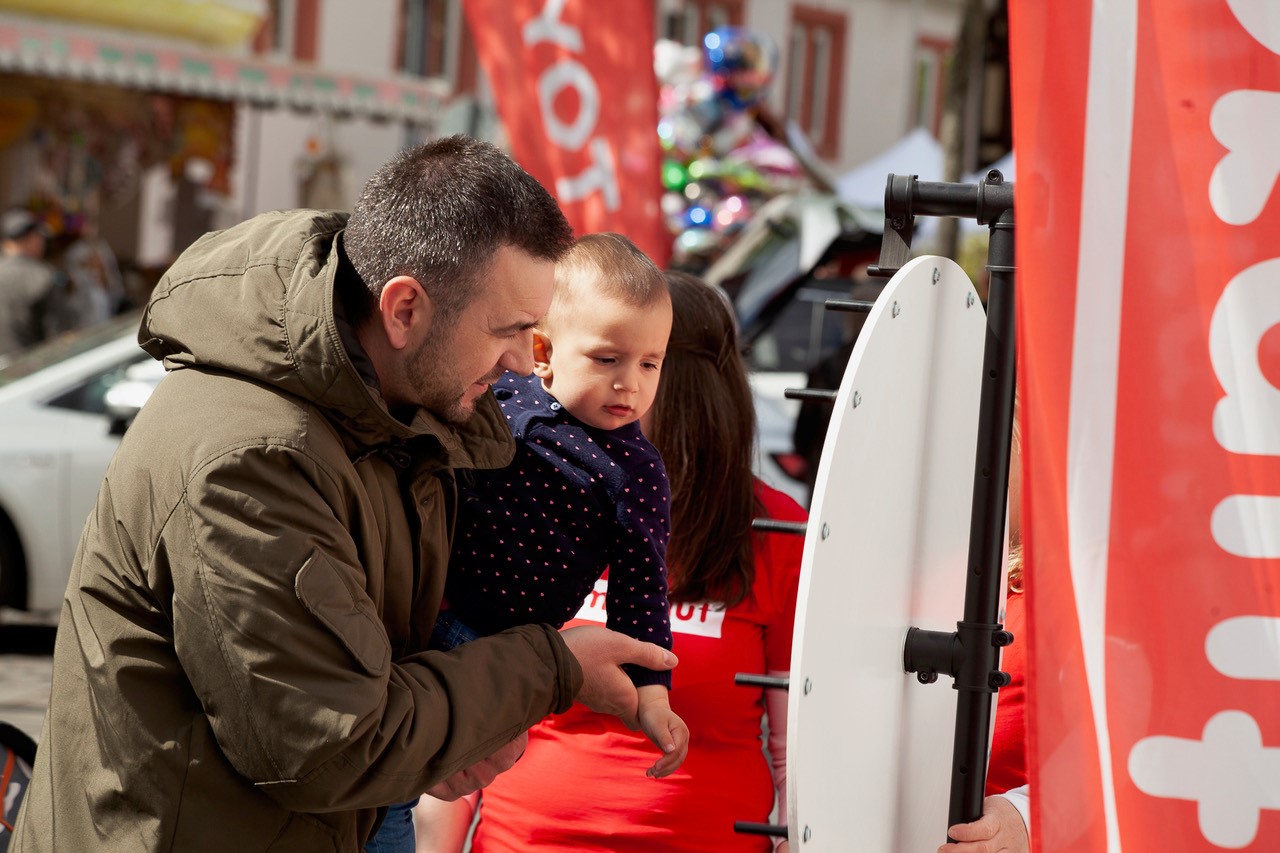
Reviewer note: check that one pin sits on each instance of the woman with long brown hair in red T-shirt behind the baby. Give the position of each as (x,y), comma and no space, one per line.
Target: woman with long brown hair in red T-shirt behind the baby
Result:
(582,783)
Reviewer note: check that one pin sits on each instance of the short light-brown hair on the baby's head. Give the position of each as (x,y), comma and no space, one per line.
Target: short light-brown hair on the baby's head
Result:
(610,266)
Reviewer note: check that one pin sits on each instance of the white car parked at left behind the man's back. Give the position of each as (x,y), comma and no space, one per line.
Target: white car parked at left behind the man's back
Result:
(57,440)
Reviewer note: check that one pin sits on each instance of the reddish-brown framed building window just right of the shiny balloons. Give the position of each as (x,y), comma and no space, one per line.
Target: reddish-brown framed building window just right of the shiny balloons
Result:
(816,69)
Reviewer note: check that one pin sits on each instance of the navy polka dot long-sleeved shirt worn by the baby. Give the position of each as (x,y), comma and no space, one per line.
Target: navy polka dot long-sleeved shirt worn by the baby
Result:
(533,539)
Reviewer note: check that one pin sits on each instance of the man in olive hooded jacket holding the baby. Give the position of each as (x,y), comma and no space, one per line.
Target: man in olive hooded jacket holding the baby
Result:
(240,664)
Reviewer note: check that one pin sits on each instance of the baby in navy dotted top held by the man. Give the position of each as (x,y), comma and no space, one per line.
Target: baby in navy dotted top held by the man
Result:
(587,490)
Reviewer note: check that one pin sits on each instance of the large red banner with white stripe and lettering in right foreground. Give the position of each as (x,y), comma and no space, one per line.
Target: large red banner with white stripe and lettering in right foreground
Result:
(1149,232)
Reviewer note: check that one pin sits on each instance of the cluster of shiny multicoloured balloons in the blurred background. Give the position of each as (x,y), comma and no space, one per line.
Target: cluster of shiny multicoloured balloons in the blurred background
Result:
(720,163)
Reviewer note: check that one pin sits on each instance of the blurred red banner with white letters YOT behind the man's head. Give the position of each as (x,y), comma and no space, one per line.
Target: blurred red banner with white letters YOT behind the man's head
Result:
(577,92)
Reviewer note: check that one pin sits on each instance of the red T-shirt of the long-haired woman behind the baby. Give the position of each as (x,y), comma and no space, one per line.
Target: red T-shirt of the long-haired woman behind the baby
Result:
(582,784)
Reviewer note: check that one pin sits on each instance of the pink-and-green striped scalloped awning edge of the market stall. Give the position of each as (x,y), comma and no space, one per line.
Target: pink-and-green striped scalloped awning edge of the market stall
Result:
(85,54)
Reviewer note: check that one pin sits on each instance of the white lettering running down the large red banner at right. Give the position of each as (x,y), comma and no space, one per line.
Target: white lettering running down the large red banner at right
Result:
(1229,773)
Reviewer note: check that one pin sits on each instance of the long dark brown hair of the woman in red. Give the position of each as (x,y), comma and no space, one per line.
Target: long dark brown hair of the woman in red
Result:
(705,427)
